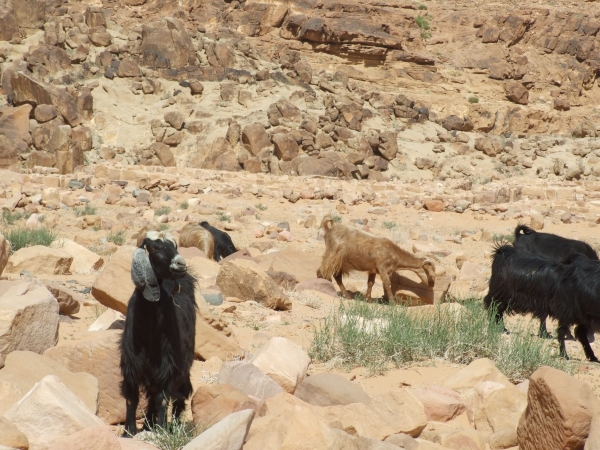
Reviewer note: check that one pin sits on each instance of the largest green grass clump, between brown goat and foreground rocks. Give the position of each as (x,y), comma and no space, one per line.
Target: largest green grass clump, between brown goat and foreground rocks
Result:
(376,336)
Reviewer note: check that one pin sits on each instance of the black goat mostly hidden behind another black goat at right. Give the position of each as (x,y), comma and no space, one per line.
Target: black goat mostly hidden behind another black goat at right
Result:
(551,246)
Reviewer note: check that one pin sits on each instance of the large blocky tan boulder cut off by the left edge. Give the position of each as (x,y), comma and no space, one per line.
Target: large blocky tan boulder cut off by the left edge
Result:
(28,317)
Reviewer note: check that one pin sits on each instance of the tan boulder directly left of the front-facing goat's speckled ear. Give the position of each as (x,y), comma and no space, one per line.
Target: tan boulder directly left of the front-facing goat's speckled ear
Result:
(114,287)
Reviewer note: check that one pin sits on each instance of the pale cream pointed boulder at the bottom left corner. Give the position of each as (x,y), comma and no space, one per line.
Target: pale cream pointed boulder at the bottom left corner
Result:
(48,411)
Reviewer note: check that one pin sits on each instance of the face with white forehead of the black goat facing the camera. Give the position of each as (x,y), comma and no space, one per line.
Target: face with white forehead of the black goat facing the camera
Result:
(166,262)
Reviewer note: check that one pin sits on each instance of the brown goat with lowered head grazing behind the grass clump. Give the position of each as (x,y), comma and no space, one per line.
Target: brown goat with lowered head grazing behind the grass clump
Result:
(348,249)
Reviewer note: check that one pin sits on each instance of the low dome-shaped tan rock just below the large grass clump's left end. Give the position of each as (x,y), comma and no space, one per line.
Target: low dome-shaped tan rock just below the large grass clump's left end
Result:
(329,389)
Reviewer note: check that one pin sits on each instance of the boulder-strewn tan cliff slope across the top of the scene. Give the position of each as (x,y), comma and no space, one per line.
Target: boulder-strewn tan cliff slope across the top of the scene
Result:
(357,90)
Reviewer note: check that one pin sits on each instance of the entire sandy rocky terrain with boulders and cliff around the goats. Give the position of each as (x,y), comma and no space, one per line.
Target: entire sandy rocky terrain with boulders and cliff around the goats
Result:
(440,125)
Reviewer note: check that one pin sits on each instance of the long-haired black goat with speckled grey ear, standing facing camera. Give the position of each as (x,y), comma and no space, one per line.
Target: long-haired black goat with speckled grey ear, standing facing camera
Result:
(157,345)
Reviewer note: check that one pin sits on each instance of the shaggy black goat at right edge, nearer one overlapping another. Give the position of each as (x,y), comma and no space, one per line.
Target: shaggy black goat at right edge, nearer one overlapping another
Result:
(569,292)
